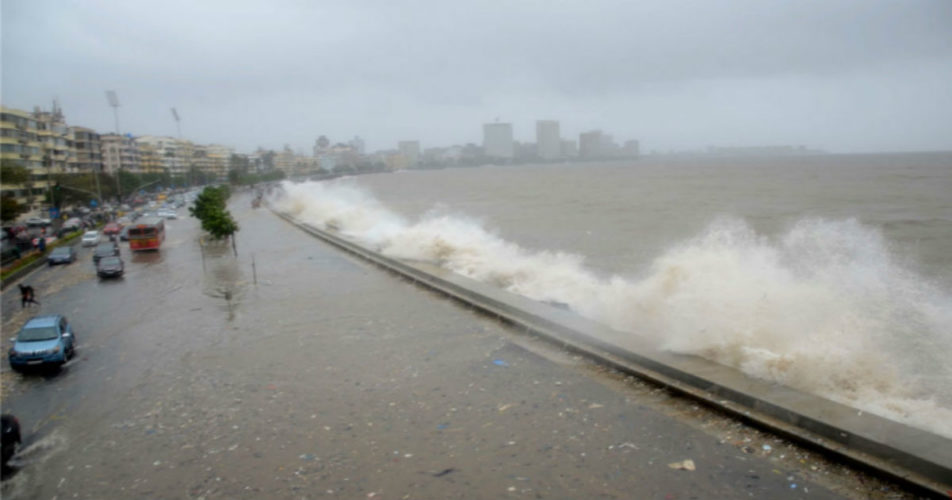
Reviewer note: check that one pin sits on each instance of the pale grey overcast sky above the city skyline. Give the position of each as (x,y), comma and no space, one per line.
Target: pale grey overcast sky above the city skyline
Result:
(845,76)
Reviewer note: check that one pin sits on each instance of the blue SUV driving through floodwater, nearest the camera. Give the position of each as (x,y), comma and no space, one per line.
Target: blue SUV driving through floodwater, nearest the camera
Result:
(43,340)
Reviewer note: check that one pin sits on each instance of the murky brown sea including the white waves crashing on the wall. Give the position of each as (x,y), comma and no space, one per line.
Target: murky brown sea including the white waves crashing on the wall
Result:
(831,274)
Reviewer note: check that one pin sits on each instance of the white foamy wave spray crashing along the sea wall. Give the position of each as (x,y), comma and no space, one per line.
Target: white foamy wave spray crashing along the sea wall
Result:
(824,305)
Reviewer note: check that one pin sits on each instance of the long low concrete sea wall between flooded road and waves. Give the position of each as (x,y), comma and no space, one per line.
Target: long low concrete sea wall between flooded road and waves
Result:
(916,458)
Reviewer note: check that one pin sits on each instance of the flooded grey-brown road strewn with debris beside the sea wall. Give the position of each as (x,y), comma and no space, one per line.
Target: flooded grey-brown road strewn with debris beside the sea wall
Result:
(296,371)
